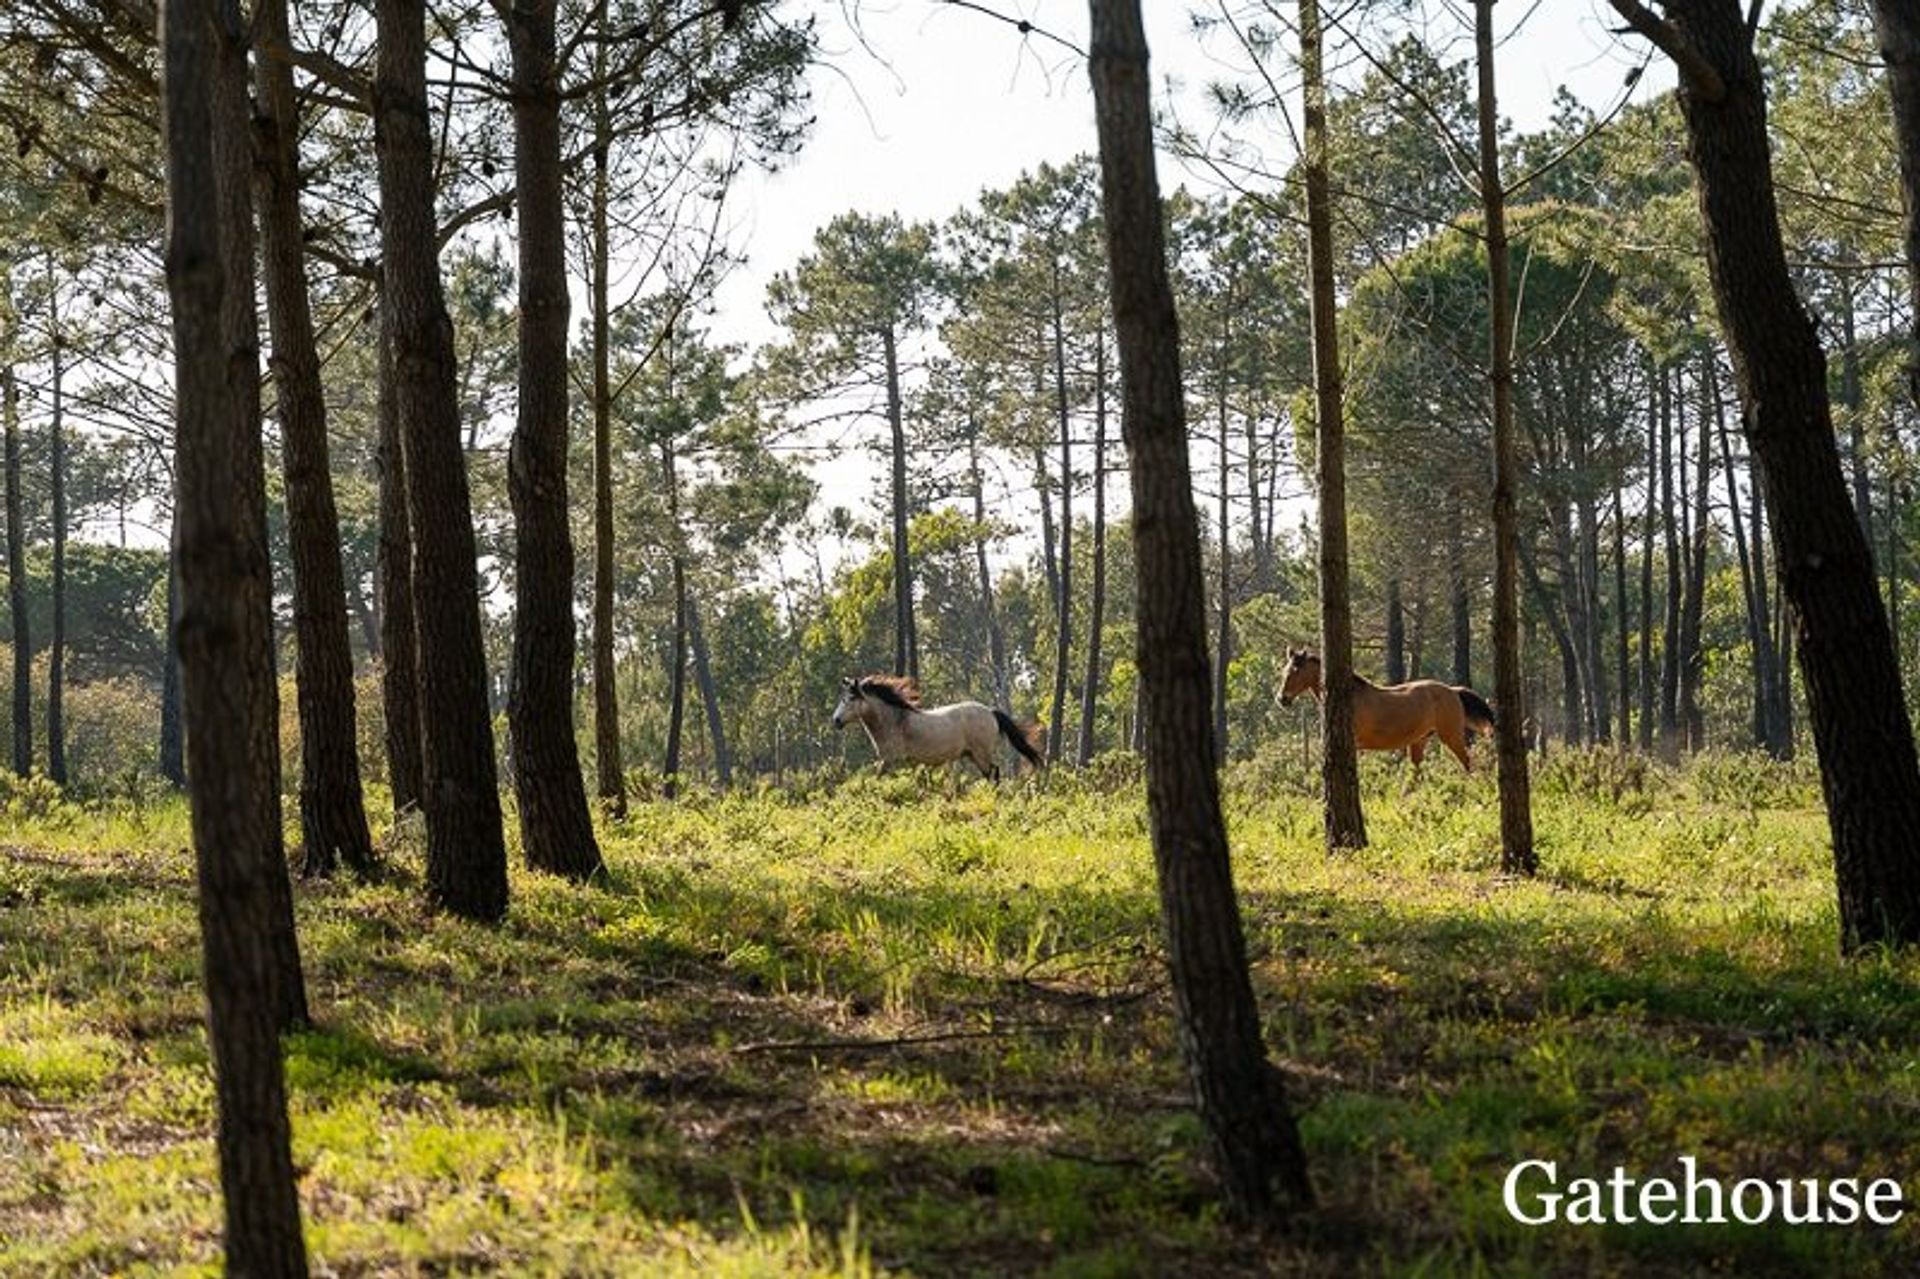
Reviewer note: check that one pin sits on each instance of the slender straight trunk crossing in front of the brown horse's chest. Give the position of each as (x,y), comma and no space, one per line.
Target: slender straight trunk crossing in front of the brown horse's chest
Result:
(1347,827)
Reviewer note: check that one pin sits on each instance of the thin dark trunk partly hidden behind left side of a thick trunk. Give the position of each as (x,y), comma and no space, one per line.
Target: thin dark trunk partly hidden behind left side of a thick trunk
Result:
(400,664)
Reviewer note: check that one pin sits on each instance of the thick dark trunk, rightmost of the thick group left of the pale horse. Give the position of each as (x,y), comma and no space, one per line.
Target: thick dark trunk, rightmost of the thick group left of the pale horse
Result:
(556,825)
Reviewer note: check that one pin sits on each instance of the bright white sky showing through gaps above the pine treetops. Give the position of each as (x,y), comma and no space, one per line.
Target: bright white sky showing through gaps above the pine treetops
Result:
(930,105)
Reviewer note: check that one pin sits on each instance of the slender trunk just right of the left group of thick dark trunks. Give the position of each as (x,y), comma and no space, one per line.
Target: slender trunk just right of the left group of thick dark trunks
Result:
(608,763)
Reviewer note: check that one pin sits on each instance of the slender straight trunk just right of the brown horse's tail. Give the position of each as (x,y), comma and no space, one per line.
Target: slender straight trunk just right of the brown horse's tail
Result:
(1516,802)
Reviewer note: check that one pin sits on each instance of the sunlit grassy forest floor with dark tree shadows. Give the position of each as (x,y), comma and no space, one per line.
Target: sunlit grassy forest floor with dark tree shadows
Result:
(921,1028)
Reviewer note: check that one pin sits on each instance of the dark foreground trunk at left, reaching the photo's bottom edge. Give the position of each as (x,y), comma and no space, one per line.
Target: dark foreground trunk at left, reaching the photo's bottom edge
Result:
(237,827)
